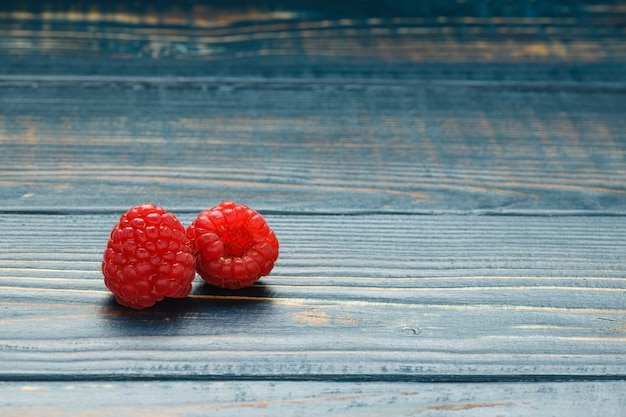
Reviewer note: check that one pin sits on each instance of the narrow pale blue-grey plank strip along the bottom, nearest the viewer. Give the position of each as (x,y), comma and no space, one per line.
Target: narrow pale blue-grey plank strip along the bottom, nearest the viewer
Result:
(253,398)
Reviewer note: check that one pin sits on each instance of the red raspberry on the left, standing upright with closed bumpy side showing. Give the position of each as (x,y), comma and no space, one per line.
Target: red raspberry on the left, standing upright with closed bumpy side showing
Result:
(148,257)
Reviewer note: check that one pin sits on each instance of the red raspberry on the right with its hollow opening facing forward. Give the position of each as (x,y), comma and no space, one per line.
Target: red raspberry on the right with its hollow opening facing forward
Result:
(233,245)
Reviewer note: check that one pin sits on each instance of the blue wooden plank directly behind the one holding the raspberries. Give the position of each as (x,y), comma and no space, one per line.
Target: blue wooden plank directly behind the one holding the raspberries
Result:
(101,143)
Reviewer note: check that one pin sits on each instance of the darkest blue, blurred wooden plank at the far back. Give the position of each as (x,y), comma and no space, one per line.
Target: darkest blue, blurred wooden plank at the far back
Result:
(432,39)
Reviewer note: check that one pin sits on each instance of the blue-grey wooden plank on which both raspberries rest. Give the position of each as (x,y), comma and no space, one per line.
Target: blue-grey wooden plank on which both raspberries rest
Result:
(414,298)
